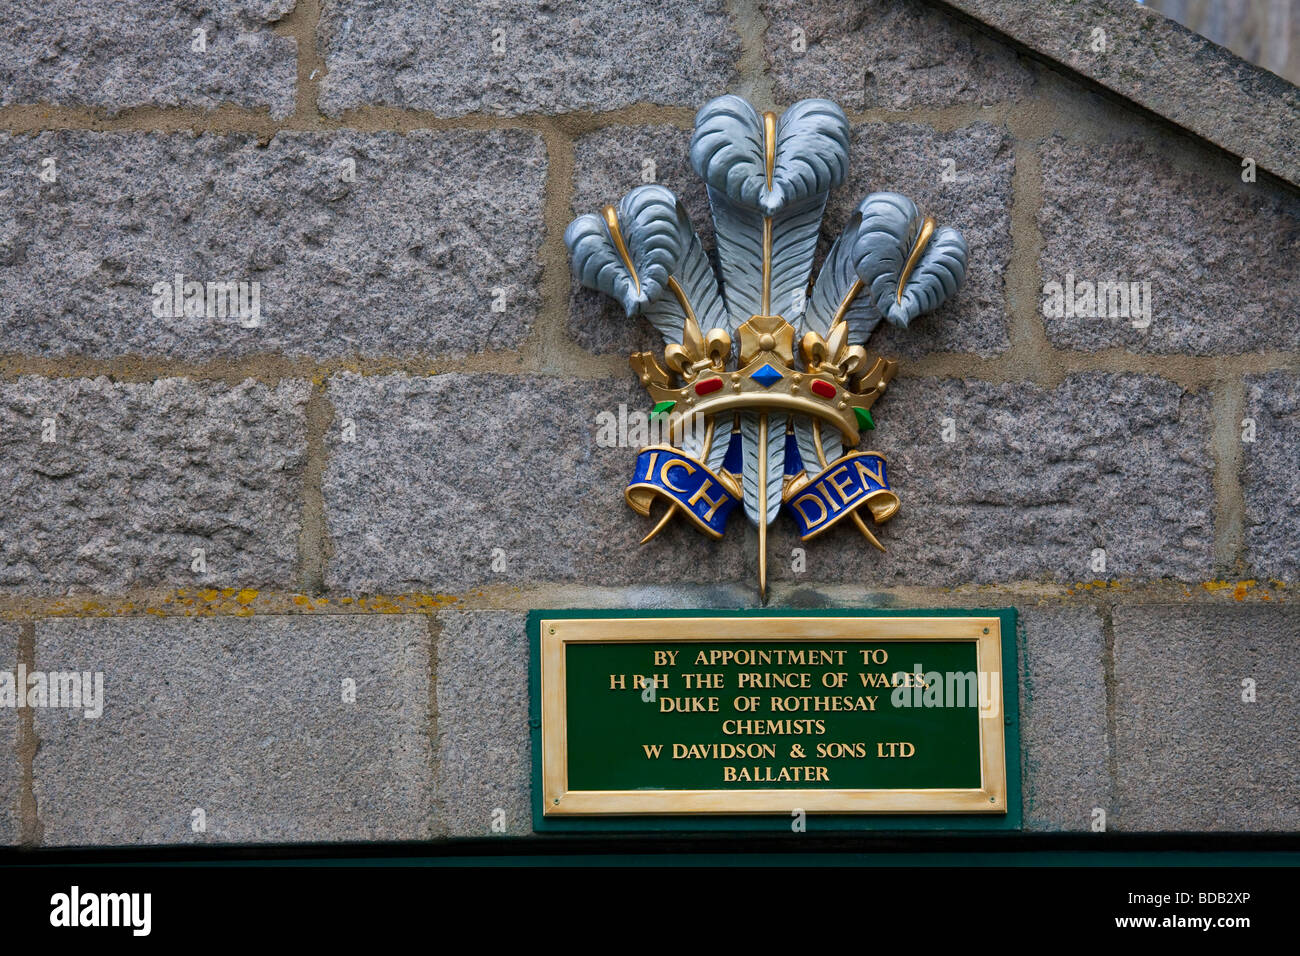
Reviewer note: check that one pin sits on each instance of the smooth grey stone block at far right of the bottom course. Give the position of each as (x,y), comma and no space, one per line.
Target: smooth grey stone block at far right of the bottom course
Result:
(1191,754)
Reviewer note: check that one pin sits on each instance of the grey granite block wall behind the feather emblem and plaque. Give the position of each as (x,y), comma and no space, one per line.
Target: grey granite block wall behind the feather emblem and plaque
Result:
(300,542)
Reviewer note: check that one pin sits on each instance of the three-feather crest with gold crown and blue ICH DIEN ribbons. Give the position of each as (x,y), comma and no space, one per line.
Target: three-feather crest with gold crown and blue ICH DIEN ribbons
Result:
(775,430)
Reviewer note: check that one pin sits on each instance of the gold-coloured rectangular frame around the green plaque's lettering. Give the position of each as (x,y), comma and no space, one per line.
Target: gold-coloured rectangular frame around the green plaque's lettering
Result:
(558,801)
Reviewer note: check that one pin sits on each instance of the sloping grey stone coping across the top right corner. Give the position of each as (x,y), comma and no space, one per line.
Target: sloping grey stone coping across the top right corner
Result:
(1164,67)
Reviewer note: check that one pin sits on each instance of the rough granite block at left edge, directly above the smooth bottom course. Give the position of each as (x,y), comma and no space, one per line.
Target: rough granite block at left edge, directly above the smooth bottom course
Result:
(138,475)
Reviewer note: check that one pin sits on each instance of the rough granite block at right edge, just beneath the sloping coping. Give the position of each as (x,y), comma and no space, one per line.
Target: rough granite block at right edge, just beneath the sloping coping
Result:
(1219,254)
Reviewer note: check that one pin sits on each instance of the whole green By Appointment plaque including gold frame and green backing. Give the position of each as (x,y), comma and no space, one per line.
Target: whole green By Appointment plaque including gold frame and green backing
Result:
(733,715)
